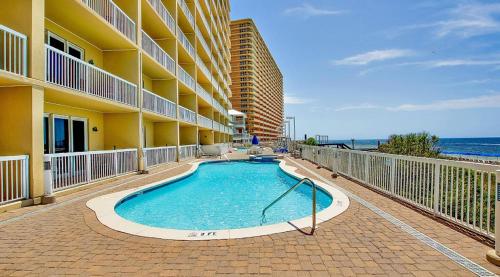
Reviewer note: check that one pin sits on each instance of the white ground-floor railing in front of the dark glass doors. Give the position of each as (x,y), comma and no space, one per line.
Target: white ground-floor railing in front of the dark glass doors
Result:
(69,170)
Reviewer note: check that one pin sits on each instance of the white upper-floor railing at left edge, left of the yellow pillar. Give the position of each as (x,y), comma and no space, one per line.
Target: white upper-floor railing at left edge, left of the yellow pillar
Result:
(13,51)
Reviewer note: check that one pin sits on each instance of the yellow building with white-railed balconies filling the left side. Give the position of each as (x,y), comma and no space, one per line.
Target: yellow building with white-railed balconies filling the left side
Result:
(95,89)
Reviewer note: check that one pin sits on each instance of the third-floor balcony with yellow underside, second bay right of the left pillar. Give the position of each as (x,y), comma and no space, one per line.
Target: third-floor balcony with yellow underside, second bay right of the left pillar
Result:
(157,53)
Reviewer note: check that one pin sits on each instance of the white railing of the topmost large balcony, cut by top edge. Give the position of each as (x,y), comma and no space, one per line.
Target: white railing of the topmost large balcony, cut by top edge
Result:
(108,10)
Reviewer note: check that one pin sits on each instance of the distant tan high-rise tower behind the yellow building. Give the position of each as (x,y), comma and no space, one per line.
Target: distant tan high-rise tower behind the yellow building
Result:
(257,83)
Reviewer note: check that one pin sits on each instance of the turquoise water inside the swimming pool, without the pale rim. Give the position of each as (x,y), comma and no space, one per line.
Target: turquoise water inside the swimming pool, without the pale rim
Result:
(222,195)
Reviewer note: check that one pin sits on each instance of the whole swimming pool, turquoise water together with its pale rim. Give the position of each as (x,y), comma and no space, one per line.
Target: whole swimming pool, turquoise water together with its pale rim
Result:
(218,200)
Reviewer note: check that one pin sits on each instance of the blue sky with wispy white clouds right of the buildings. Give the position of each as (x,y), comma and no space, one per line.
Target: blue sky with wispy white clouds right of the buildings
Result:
(368,69)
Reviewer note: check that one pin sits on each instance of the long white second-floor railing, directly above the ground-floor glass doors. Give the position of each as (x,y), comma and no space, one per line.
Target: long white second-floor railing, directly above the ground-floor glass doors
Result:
(69,72)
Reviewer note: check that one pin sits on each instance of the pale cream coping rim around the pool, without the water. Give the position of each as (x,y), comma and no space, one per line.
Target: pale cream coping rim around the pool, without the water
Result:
(104,208)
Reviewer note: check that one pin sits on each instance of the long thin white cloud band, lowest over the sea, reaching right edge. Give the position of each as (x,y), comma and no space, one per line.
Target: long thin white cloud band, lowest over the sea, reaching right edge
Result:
(484,101)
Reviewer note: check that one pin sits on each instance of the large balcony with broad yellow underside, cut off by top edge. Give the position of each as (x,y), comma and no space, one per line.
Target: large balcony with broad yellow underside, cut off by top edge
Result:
(105,24)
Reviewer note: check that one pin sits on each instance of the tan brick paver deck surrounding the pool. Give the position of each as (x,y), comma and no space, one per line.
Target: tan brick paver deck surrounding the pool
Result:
(67,239)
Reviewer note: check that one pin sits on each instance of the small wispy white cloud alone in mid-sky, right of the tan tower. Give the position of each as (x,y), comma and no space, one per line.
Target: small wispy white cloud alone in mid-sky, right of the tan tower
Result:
(374,56)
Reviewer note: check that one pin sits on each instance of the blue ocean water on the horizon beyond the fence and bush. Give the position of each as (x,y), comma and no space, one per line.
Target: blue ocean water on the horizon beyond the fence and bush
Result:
(485,147)
